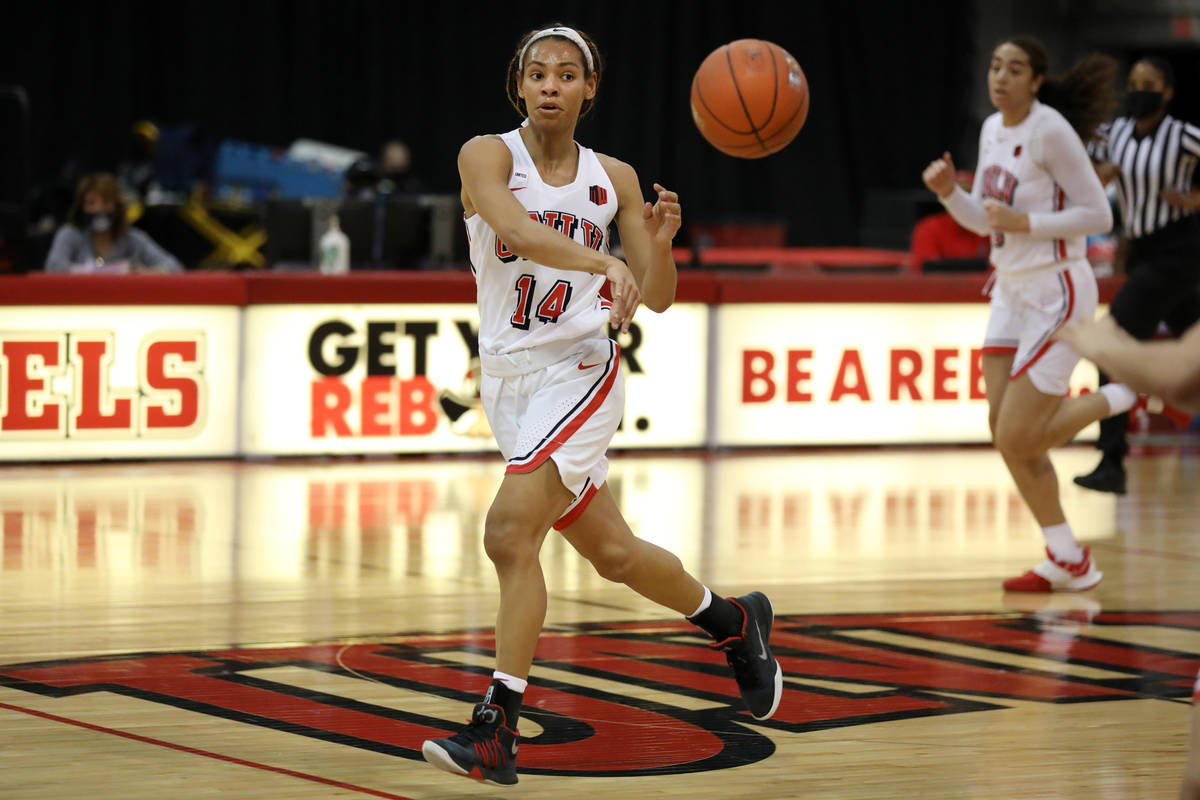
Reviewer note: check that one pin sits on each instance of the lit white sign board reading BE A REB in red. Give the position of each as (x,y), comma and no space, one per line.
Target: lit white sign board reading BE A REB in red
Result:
(854,374)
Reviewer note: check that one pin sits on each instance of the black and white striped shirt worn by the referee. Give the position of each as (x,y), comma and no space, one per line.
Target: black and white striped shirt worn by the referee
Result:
(1165,159)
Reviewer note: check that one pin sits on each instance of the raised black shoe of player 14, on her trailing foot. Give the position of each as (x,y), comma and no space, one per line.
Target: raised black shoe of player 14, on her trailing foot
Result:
(760,677)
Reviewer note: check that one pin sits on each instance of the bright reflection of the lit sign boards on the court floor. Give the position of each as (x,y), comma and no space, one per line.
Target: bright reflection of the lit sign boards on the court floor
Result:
(731,519)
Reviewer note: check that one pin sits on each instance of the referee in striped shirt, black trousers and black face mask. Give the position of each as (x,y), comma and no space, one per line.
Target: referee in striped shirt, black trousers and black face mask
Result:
(1154,158)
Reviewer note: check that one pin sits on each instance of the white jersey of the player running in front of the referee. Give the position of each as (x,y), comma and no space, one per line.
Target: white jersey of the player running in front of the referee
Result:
(1012,170)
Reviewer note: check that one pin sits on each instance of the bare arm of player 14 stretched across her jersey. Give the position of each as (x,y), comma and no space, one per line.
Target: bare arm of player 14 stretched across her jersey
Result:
(484,166)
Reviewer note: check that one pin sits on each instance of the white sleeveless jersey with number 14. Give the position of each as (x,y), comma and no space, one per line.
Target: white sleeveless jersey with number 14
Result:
(525,305)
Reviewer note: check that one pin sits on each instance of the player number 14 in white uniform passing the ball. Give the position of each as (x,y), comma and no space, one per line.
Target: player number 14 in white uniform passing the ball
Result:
(538,209)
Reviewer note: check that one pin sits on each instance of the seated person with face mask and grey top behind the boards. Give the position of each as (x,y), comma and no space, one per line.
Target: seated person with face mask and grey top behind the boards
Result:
(98,237)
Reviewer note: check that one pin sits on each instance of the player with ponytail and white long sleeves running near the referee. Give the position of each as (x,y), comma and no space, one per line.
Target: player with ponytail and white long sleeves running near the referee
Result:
(1037,195)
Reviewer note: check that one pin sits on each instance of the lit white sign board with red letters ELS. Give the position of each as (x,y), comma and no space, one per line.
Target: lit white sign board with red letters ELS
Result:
(118,383)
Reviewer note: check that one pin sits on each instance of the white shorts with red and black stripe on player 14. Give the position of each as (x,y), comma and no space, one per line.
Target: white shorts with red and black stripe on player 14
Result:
(567,412)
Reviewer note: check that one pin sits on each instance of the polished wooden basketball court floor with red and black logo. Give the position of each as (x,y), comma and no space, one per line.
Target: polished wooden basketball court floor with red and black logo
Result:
(297,629)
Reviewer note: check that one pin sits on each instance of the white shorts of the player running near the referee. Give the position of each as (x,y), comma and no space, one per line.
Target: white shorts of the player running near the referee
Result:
(1028,308)
